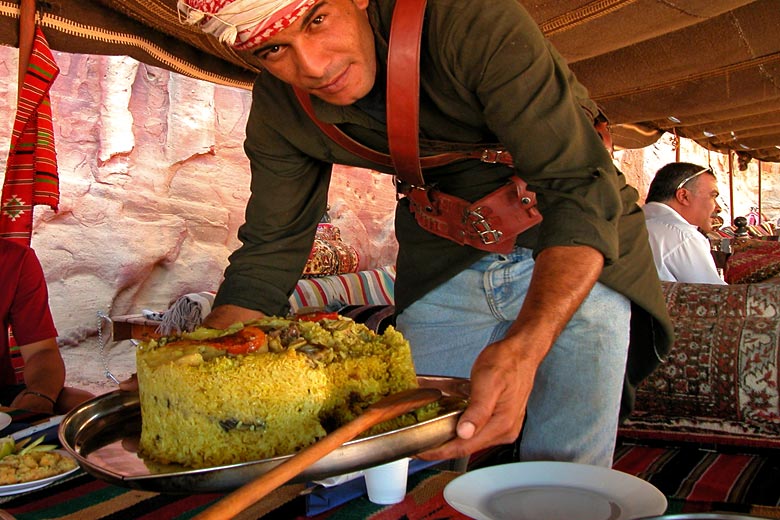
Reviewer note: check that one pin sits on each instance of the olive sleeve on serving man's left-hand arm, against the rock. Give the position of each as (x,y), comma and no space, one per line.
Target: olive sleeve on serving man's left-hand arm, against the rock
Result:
(288,198)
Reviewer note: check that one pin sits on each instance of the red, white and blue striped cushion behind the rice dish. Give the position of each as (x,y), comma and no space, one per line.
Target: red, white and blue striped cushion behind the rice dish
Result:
(371,287)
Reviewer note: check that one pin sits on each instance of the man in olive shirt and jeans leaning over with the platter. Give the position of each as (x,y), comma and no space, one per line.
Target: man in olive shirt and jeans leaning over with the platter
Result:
(538,318)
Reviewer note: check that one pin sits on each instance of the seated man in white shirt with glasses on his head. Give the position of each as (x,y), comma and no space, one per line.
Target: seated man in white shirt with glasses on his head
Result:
(680,206)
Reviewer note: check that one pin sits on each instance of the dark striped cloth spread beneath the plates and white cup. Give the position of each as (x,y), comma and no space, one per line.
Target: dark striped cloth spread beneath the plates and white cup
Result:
(693,479)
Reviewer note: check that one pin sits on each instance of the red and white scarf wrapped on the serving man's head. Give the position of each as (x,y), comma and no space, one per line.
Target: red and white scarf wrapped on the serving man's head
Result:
(242,24)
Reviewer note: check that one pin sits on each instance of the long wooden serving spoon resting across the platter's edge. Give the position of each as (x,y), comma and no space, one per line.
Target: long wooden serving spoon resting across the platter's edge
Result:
(387,408)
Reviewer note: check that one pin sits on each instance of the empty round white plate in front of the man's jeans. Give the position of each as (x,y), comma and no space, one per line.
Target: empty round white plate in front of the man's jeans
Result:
(553,491)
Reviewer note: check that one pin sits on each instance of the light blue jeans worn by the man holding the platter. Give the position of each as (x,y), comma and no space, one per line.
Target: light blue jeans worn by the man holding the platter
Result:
(572,413)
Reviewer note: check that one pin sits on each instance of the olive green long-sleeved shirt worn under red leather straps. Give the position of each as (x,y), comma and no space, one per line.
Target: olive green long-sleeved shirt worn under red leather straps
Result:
(488,76)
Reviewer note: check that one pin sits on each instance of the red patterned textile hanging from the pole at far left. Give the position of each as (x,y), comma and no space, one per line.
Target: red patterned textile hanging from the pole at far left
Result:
(31,171)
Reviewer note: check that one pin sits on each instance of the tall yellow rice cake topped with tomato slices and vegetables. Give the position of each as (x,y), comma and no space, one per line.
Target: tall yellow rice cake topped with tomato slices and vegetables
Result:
(264,389)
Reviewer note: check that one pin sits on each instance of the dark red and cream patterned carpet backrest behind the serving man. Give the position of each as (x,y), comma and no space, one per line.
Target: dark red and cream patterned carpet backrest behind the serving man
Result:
(720,383)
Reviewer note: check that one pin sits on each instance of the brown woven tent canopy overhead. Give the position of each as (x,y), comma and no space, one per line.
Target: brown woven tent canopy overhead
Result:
(708,70)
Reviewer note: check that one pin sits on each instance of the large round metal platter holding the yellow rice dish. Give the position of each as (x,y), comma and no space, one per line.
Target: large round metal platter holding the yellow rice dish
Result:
(103,434)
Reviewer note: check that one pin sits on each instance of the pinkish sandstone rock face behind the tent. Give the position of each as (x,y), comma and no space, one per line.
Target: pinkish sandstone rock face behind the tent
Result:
(154,181)
